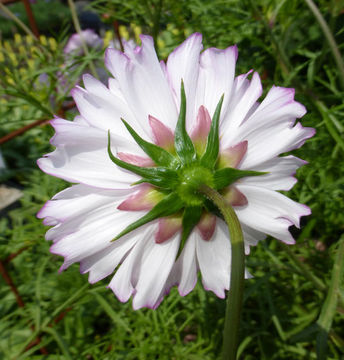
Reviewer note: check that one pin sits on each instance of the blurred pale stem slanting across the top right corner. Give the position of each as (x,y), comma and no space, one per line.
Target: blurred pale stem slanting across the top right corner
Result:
(330,39)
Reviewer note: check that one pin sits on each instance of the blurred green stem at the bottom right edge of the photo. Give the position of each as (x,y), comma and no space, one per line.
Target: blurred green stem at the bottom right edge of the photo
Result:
(328,310)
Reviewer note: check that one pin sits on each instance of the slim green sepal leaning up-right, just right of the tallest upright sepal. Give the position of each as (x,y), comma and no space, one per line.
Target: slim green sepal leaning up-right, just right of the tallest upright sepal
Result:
(212,149)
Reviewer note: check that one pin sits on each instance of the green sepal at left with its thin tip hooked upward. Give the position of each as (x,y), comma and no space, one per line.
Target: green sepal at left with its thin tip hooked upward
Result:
(158,176)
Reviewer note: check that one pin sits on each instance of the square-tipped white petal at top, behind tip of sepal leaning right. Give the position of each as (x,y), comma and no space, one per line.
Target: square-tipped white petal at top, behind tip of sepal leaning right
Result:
(216,76)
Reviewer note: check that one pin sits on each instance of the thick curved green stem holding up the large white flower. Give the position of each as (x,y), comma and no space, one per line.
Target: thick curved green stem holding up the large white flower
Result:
(235,294)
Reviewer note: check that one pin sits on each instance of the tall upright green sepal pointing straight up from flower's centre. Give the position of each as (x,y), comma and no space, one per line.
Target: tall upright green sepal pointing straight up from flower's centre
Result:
(182,142)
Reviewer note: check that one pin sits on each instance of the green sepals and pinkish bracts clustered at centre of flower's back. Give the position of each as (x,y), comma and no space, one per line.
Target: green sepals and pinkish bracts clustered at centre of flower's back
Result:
(175,176)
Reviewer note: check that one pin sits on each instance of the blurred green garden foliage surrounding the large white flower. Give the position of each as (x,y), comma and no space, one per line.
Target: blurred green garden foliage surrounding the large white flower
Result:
(294,305)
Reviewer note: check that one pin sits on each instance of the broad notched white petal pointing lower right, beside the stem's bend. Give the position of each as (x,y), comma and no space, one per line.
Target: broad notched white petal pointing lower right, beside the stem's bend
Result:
(270,212)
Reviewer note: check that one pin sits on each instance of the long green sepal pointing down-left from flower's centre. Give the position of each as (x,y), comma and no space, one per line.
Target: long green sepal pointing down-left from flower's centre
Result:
(166,207)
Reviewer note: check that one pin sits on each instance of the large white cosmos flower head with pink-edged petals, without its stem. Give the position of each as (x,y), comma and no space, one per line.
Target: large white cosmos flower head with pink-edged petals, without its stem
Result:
(166,232)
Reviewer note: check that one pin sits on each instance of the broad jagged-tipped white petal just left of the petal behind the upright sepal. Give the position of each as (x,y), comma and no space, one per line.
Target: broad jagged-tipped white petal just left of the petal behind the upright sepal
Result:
(143,83)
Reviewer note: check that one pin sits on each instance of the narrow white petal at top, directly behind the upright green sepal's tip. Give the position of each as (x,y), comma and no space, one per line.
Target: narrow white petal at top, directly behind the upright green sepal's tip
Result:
(183,64)
